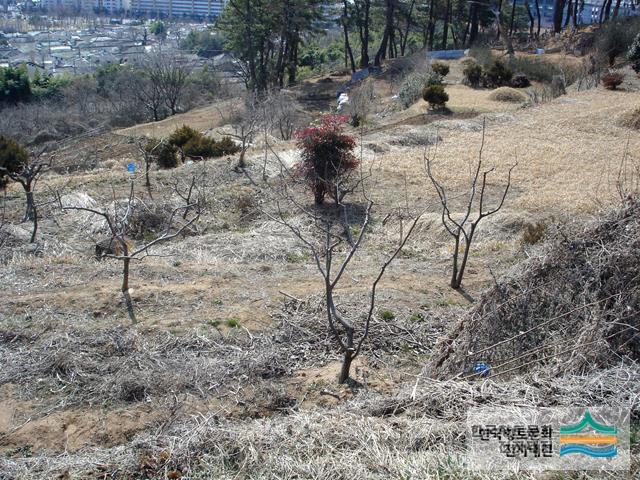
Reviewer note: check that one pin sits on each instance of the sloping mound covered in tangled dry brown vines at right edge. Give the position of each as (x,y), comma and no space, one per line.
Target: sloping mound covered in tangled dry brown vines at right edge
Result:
(572,307)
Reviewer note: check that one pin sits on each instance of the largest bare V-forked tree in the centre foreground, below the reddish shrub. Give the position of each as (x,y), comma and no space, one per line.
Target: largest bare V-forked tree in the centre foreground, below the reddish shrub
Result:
(333,250)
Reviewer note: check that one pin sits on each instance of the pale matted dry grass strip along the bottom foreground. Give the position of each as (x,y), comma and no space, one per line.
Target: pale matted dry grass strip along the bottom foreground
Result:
(419,433)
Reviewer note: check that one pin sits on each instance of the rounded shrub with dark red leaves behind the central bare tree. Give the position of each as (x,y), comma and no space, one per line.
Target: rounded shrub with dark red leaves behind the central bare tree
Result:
(327,157)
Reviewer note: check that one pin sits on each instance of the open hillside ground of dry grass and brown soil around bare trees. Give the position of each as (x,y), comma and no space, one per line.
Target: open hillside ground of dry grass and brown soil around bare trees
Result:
(231,354)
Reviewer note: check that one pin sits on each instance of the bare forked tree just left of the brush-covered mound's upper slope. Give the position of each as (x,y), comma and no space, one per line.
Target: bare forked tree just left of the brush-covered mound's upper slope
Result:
(463,228)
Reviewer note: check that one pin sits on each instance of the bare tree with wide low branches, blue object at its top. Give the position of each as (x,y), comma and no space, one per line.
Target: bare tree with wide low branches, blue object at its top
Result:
(121,248)
